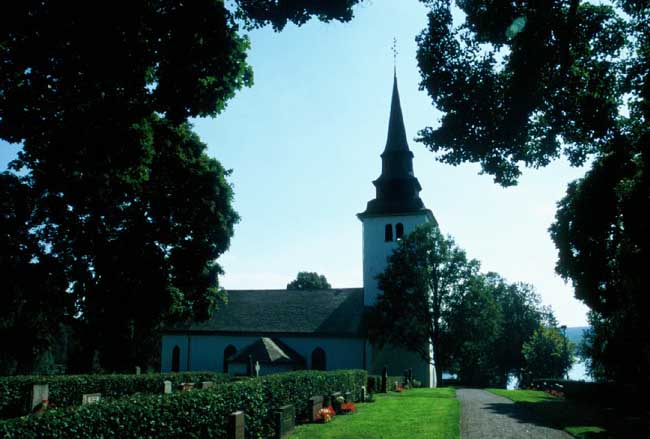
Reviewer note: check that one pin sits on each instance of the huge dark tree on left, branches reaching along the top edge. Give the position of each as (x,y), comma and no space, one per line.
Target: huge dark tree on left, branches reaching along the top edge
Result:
(124,200)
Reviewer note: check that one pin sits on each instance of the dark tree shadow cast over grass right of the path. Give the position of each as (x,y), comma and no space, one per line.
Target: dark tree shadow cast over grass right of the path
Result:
(562,413)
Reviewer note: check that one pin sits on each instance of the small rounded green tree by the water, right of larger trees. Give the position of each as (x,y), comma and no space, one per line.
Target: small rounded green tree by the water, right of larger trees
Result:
(548,354)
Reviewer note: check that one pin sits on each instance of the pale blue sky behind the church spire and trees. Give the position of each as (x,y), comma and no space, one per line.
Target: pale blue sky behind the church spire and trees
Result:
(304,145)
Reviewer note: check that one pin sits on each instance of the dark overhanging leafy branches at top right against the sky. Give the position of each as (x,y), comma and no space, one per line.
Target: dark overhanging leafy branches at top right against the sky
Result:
(522,83)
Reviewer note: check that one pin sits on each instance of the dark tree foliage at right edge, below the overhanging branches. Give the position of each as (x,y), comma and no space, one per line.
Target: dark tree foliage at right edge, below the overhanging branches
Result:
(603,237)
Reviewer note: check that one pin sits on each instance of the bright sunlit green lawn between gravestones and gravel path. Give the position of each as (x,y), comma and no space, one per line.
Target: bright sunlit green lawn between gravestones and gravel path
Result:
(413,414)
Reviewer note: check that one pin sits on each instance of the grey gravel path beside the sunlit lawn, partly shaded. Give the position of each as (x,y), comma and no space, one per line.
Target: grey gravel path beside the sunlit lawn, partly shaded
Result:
(488,416)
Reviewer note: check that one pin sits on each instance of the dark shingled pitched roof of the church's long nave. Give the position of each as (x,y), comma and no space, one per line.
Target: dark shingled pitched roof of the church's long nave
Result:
(334,312)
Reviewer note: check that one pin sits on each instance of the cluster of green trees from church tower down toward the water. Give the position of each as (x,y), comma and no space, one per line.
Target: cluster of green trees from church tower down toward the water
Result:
(478,322)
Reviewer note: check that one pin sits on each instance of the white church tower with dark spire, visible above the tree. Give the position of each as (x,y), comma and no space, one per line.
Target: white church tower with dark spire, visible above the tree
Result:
(396,209)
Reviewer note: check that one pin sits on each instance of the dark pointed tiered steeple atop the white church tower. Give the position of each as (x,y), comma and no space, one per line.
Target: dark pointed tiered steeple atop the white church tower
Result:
(397,189)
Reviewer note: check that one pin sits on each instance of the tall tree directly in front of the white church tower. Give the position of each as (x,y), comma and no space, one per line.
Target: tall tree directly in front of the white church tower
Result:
(423,272)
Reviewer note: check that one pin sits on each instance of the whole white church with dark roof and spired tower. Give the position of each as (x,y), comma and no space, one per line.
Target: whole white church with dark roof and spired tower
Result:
(282,330)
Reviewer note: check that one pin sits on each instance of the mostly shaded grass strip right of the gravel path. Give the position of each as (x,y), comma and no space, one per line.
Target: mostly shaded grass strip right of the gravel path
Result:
(582,420)
